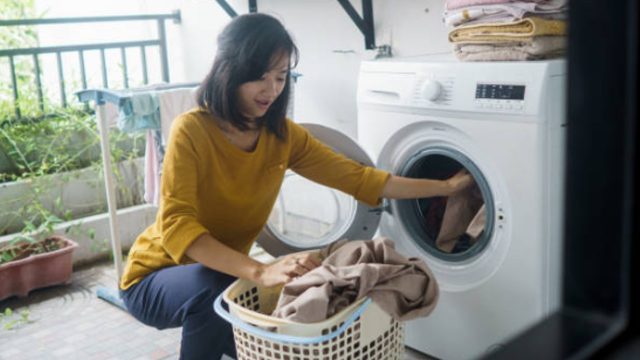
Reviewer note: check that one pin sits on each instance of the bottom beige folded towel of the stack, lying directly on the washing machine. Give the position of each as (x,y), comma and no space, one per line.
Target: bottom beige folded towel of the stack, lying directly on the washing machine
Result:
(539,47)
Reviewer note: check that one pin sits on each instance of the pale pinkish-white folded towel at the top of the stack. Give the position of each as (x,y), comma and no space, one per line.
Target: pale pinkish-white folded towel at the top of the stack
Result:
(507,12)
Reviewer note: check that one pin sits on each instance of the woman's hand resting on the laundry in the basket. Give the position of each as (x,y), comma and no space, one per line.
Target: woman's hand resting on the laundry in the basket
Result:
(287,268)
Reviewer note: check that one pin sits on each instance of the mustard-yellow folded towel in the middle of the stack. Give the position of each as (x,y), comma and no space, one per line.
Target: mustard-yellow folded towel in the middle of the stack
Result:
(505,32)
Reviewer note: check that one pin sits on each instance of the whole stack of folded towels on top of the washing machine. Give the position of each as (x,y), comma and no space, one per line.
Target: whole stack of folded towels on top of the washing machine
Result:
(505,30)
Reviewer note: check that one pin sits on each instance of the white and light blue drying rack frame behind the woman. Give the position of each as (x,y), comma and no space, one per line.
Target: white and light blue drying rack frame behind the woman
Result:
(101,97)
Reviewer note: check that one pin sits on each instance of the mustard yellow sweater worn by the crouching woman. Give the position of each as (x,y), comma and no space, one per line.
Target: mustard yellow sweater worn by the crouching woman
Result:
(211,186)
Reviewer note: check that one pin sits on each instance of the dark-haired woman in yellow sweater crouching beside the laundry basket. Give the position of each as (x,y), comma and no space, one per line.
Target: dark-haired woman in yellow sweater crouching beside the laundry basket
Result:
(222,172)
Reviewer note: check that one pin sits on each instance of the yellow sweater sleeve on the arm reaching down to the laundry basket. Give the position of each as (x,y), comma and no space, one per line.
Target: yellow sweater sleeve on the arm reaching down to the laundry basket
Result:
(179,190)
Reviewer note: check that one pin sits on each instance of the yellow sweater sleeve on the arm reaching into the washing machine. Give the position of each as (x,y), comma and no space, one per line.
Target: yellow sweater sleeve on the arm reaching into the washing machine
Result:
(317,162)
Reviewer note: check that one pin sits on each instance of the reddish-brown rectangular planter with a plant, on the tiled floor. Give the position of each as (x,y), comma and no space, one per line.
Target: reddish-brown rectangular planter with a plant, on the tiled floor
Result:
(34,261)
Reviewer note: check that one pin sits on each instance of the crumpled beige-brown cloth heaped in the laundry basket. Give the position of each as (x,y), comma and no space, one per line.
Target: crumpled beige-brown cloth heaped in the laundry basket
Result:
(403,287)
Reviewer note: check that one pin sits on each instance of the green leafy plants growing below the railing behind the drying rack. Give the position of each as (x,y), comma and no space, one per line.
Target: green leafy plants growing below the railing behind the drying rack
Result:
(64,141)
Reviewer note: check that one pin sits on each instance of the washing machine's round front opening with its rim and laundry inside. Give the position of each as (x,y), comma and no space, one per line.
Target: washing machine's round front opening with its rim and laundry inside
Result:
(464,237)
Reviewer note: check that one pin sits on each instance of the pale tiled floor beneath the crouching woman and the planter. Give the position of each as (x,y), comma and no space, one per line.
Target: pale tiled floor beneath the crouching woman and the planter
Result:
(70,322)
